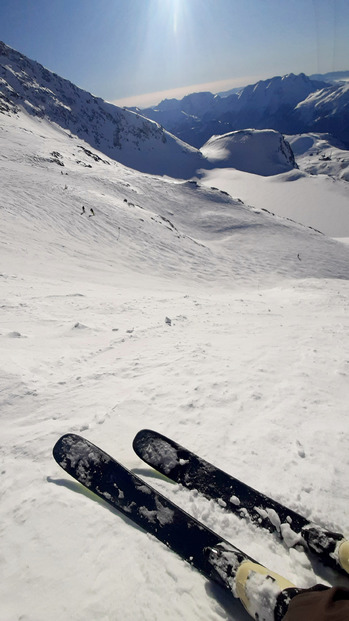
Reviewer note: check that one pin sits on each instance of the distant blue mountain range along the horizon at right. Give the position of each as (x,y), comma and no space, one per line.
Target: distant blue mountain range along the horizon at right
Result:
(290,104)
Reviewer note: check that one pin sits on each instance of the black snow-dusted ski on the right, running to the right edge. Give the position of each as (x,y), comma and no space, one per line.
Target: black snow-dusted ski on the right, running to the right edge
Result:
(185,467)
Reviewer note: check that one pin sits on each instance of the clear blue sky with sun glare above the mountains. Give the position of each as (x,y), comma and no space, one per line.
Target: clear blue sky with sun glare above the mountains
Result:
(138,52)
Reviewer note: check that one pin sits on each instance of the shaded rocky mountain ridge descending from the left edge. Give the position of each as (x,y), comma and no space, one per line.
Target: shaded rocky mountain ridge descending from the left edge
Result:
(26,86)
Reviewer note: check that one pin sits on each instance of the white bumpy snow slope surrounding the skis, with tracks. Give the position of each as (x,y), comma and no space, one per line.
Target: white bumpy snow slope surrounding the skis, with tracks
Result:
(175,307)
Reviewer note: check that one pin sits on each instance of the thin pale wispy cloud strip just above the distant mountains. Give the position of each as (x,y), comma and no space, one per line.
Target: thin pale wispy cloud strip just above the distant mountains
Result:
(150,99)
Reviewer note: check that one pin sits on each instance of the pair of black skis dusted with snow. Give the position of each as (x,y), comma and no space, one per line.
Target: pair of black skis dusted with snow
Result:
(264,594)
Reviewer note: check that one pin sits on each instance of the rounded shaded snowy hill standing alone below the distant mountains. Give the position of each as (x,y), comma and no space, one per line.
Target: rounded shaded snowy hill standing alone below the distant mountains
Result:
(262,152)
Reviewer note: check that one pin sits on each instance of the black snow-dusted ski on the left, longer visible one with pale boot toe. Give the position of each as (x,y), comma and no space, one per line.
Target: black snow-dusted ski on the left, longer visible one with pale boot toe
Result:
(214,557)
